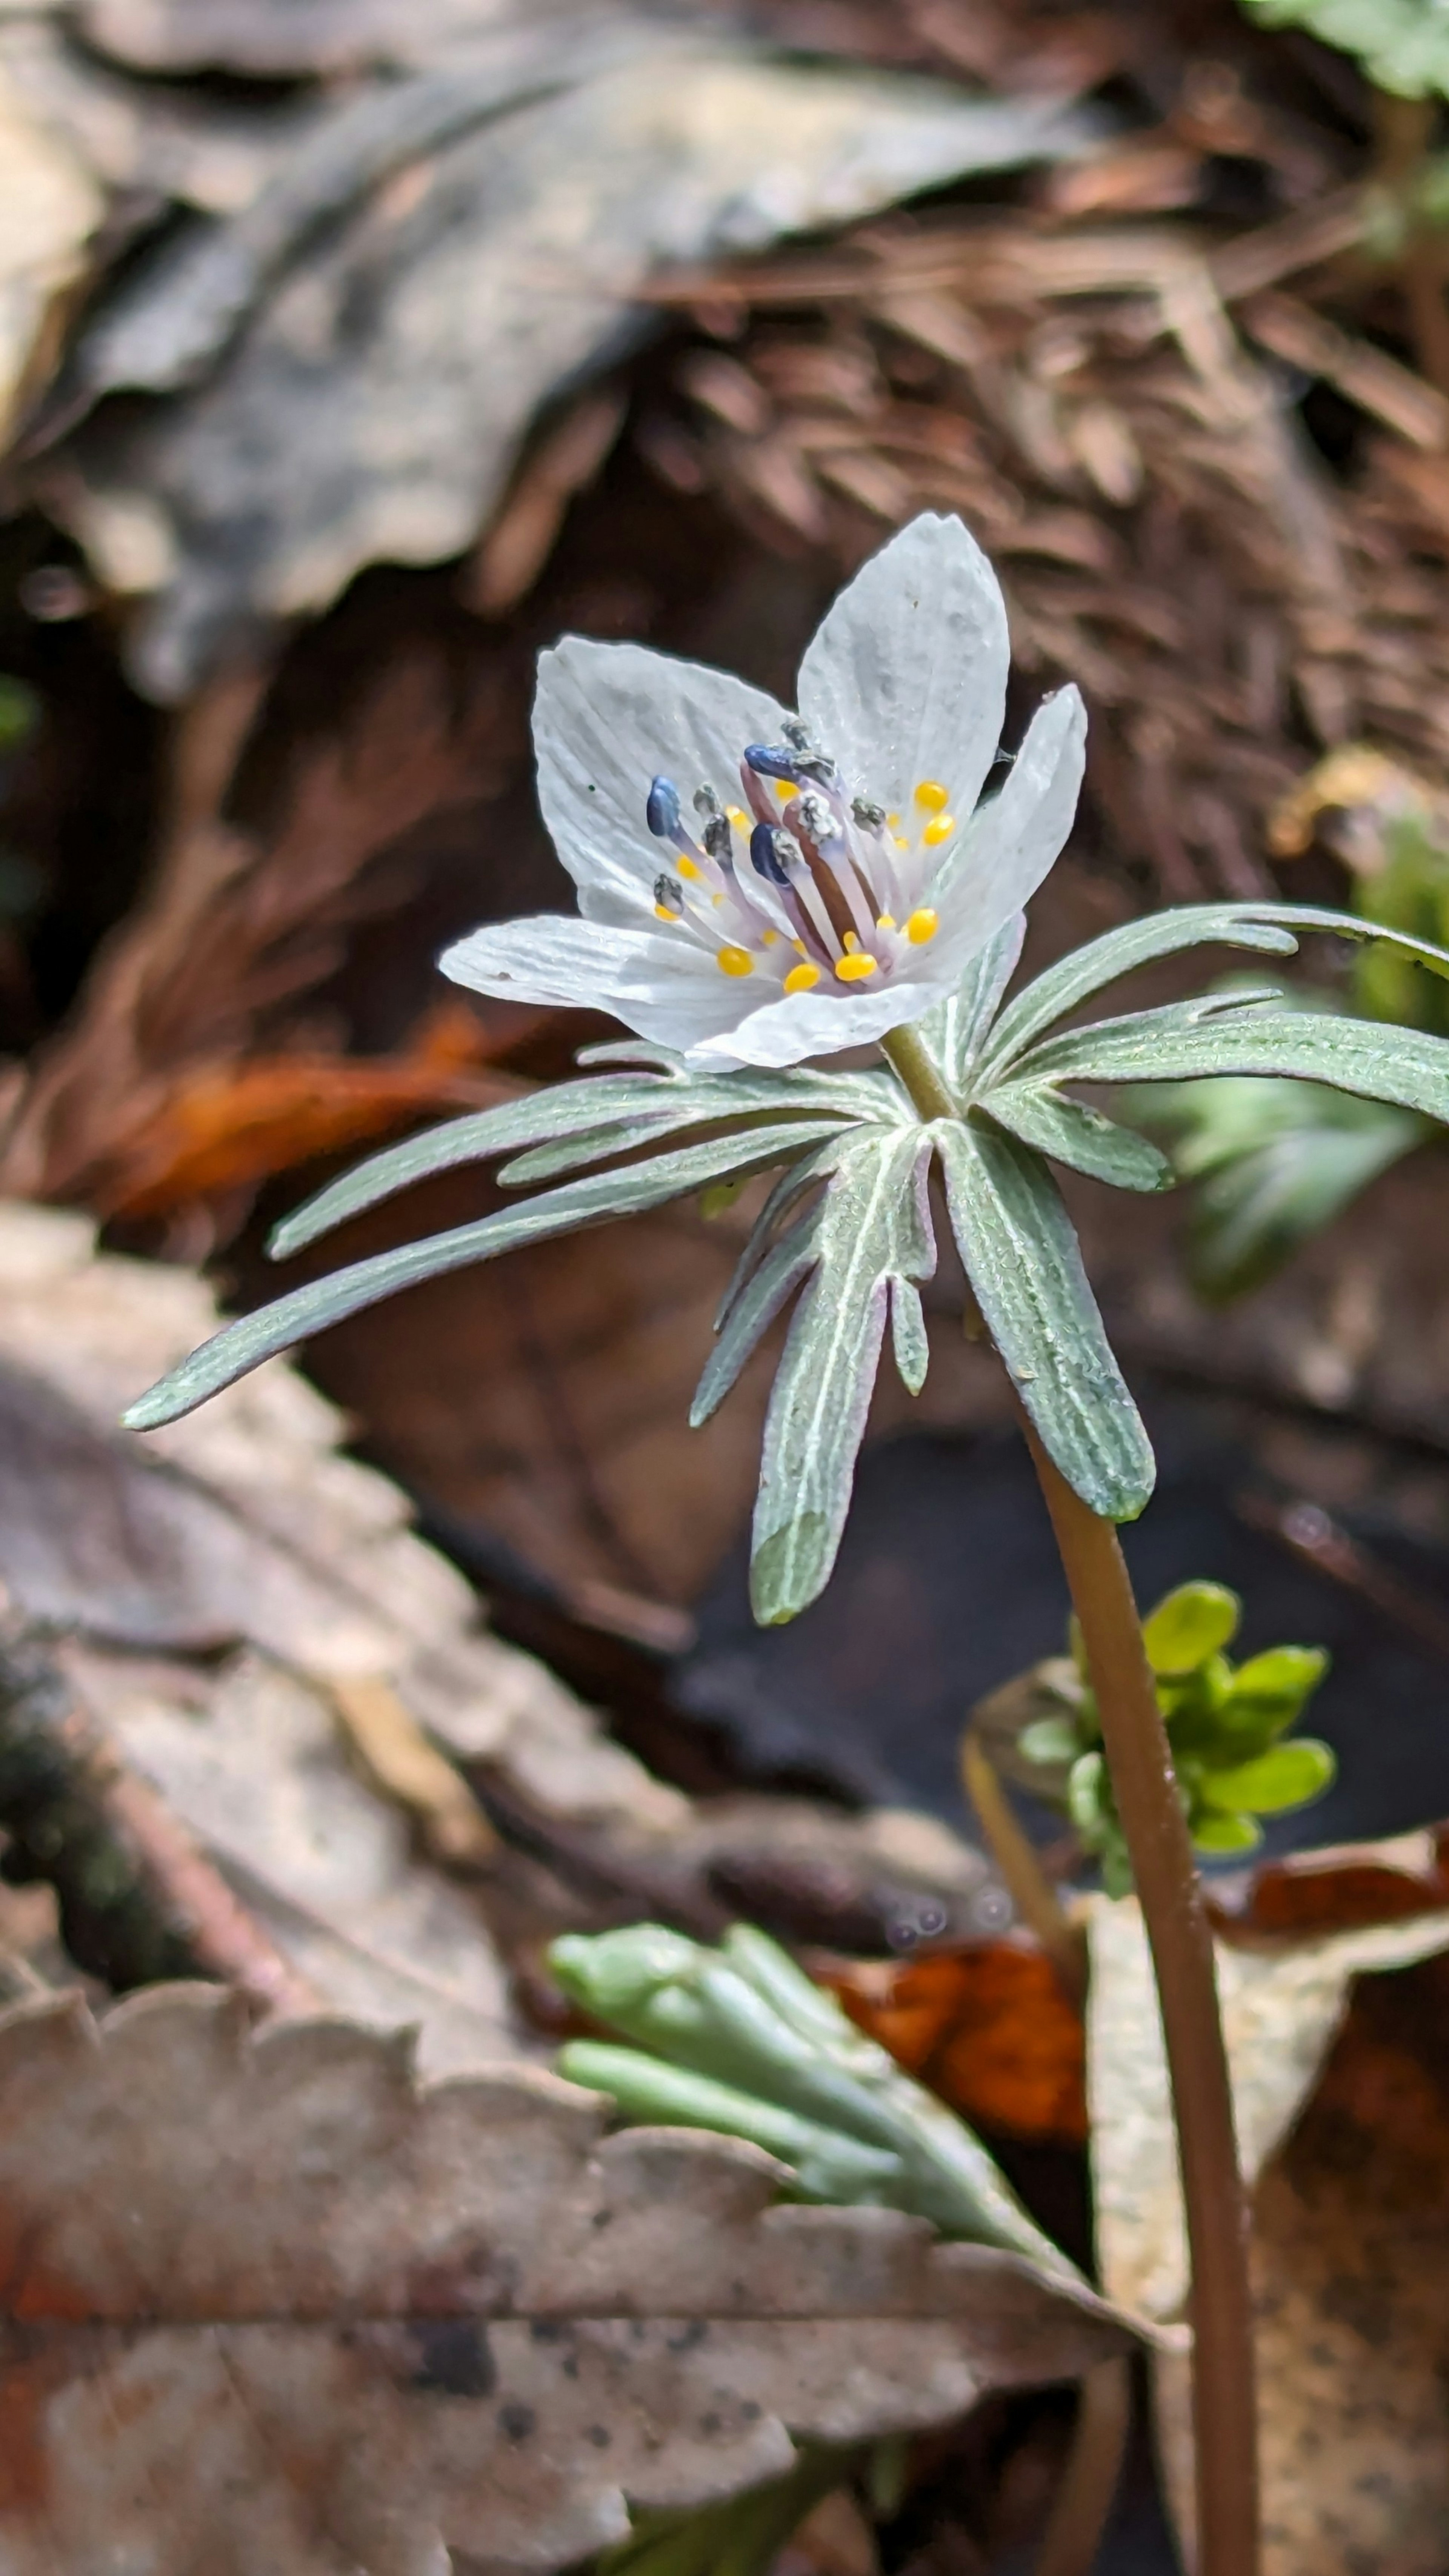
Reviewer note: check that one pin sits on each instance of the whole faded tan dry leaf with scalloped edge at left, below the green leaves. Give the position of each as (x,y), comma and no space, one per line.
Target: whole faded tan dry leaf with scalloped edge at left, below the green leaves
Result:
(218,1593)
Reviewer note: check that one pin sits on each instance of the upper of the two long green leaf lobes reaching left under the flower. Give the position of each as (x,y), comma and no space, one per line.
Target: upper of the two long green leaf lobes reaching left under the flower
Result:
(648,1106)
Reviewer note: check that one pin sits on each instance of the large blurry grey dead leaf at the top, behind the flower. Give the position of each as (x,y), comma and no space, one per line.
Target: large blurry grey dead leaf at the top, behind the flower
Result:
(375,401)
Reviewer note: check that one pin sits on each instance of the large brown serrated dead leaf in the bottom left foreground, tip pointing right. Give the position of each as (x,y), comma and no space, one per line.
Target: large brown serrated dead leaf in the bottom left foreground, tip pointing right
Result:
(275,2309)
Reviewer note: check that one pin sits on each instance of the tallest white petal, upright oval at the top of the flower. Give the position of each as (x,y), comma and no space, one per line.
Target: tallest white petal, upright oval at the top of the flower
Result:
(906,676)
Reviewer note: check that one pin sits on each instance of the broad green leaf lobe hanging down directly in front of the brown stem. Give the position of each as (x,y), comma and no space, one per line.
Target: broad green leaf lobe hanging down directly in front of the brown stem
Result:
(1027,1274)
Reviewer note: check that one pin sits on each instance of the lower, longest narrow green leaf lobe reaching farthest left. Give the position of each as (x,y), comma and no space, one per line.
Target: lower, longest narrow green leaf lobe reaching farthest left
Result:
(579,1204)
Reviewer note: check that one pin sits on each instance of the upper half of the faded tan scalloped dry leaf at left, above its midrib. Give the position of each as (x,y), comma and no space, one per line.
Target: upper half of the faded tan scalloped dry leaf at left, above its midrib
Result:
(298,1552)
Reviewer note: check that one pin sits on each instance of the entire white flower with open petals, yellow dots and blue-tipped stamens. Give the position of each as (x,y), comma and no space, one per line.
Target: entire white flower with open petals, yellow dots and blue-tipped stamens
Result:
(762,887)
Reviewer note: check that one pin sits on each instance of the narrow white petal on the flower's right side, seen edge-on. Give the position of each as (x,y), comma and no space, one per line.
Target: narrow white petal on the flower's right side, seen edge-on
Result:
(1017,836)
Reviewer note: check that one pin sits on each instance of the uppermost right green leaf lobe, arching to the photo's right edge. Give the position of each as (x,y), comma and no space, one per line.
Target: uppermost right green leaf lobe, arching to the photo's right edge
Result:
(1270,929)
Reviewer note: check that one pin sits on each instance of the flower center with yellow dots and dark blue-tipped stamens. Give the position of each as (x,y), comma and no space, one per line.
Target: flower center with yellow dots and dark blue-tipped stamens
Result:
(801,882)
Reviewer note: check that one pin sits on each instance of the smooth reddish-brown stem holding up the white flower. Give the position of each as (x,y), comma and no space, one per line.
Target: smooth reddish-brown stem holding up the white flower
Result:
(1174,1915)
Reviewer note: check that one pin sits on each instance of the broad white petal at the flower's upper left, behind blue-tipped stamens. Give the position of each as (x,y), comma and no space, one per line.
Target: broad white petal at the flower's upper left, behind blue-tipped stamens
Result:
(612,717)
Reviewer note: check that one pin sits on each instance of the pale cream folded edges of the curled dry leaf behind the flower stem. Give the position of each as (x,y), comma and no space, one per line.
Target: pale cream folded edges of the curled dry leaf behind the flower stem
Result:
(1280,2013)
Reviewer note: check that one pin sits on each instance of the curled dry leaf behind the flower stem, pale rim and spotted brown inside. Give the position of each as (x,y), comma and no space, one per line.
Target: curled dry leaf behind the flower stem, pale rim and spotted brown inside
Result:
(1345,2137)
